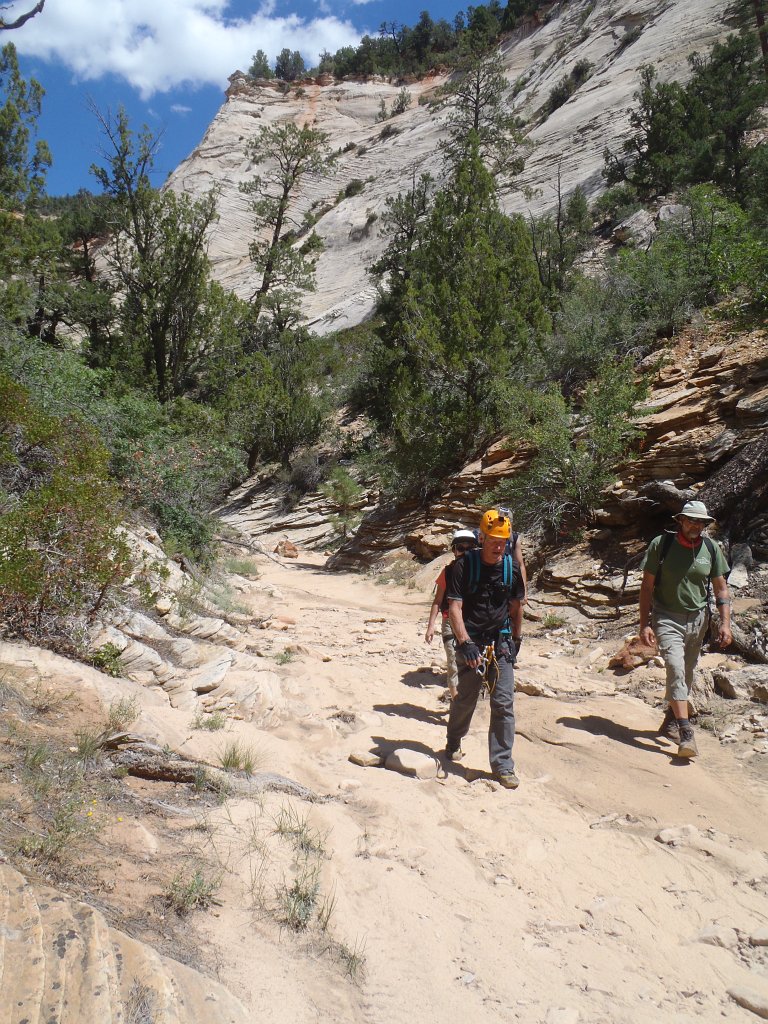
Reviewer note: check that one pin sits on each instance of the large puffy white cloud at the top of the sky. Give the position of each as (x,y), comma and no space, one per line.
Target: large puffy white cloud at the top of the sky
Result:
(159,45)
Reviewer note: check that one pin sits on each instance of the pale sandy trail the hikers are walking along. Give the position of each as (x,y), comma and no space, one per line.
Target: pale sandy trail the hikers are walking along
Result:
(556,904)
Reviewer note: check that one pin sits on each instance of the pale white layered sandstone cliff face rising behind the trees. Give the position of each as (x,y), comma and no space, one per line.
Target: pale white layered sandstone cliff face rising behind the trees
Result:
(573,139)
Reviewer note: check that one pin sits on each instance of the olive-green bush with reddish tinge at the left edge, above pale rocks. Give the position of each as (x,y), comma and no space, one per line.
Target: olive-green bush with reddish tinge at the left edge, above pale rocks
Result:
(60,514)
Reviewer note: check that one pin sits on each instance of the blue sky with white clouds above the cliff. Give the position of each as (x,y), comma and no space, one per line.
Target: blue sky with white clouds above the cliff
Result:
(167,62)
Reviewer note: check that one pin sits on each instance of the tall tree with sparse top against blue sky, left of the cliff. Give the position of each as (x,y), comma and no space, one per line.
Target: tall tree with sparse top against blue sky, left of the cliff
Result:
(158,253)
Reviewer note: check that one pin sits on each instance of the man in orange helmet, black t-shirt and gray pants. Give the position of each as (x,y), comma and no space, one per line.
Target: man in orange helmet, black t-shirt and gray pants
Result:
(485,594)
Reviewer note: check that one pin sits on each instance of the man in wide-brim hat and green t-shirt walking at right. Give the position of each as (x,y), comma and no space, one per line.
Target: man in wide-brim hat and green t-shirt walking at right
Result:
(679,570)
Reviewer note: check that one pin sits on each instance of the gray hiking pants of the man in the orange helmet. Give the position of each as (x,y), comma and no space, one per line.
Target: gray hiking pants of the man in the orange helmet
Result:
(502,728)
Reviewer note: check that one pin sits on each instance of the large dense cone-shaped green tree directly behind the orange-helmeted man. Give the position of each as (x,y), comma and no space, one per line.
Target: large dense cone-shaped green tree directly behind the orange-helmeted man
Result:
(457,331)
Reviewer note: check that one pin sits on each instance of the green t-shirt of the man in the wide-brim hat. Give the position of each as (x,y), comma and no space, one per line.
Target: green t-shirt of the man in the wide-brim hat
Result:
(685,574)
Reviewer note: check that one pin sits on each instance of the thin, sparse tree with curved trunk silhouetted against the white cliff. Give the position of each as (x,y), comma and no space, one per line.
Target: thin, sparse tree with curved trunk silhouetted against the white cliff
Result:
(291,155)
